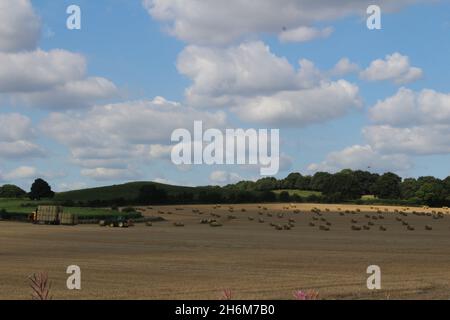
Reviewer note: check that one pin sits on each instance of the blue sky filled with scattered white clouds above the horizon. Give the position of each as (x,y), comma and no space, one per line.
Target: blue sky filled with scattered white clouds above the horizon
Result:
(97,106)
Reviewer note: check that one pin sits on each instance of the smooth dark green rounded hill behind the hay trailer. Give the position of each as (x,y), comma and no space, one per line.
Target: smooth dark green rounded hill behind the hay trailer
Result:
(127,191)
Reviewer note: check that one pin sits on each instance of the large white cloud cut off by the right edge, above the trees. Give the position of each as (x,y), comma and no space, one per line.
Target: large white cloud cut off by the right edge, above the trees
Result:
(411,122)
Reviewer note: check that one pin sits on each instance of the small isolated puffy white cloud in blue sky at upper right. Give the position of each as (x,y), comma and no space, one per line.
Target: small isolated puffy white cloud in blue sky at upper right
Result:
(395,67)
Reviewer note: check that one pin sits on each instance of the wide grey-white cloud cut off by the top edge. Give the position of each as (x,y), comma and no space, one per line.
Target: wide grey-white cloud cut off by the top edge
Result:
(220,22)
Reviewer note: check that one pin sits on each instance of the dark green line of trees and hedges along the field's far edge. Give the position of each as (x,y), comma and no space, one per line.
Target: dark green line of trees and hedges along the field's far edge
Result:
(346,185)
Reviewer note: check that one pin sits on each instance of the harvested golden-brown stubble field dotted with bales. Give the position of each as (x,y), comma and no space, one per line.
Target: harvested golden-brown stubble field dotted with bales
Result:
(251,258)
